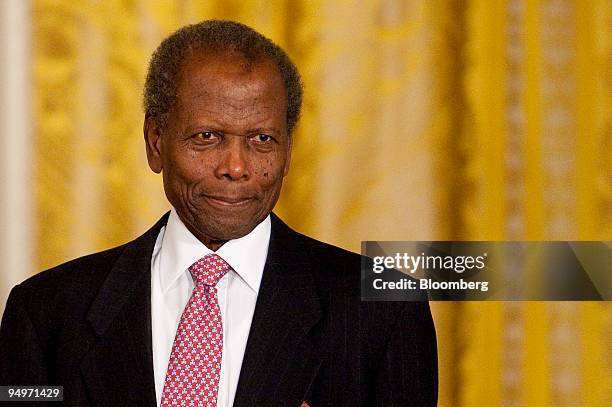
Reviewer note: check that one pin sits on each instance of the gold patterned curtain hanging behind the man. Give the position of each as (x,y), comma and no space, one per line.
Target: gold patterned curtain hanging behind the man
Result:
(430,119)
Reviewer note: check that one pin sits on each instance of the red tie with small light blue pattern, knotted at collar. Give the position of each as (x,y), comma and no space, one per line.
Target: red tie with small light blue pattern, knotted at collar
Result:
(195,362)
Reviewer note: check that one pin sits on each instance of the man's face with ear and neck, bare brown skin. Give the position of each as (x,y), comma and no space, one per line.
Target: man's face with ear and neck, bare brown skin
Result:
(225,149)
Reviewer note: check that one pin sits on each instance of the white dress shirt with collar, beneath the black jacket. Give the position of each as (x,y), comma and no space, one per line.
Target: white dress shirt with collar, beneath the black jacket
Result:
(176,249)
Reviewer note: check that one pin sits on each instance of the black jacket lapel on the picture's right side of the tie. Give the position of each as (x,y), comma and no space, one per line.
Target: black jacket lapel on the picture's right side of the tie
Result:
(280,362)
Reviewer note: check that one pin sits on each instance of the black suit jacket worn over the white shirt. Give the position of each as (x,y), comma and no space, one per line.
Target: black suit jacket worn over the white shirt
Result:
(86,325)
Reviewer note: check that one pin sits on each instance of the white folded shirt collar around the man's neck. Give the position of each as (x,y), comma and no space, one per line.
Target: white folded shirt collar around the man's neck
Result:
(180,249)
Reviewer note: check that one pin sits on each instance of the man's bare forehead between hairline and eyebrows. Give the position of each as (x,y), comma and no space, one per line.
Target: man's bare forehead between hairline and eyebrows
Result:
(229,75)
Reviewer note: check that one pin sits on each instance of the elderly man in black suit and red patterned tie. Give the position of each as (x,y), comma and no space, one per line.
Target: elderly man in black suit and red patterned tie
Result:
(220,303)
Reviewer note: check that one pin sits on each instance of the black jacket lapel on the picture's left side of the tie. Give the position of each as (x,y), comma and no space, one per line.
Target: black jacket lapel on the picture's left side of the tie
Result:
(118,369)
